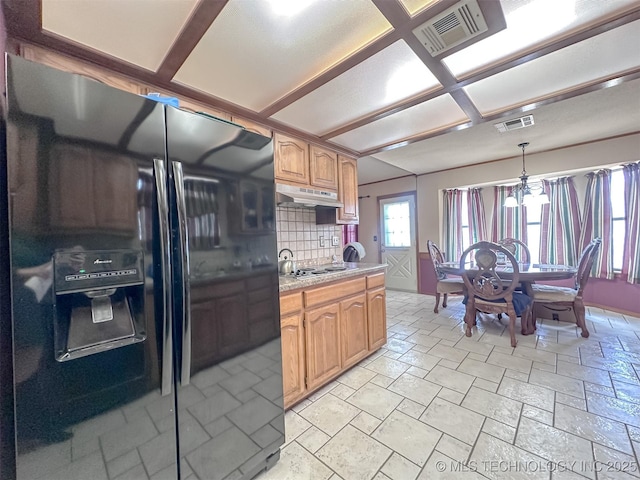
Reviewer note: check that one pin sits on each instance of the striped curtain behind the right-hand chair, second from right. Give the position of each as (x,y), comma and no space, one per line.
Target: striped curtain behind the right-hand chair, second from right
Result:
(597,221)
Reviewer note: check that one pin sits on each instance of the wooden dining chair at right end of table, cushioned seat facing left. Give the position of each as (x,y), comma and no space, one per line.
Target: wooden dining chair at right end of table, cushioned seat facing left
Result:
(563,298)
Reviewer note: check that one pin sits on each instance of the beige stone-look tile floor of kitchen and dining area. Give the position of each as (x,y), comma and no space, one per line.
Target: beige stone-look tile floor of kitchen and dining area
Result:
(433,404)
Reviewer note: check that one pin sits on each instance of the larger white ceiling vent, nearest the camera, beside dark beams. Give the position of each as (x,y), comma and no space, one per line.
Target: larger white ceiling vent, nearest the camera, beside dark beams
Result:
(458,24)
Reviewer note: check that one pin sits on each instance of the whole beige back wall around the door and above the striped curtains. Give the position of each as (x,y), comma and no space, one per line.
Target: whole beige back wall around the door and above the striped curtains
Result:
(573,160)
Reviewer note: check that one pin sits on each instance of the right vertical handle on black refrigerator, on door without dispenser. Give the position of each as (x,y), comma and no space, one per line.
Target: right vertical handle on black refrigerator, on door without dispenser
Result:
(185,369)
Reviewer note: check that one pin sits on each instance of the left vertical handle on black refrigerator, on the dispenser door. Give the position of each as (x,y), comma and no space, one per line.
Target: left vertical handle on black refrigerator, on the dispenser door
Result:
(162,197)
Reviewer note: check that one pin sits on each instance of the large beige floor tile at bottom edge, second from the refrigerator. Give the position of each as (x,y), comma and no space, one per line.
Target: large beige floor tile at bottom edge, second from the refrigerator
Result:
(354,455)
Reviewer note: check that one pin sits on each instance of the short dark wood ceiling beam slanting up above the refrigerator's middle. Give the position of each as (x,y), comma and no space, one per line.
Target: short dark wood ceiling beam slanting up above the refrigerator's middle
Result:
(201,19)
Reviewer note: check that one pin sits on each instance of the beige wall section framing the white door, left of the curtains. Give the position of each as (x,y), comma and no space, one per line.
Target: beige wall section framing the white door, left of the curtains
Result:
(368,227)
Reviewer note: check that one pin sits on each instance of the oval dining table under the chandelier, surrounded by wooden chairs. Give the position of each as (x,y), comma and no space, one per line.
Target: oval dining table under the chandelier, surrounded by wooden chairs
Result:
(528,274)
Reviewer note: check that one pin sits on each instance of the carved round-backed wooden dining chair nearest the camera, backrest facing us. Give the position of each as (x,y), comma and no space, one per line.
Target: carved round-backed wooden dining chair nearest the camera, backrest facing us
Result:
(487,292)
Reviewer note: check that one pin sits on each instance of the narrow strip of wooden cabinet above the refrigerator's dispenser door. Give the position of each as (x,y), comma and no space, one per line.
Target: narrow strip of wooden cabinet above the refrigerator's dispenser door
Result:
(68,64)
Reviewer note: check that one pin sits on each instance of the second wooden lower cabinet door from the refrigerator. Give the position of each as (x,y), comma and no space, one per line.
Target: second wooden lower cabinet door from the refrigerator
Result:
(322,335)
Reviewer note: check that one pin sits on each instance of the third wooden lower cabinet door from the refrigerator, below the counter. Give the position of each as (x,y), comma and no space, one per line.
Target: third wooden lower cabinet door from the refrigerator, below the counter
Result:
(353,330)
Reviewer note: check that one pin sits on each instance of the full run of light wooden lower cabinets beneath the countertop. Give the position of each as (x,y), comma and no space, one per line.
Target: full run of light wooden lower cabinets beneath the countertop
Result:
(328,329)
